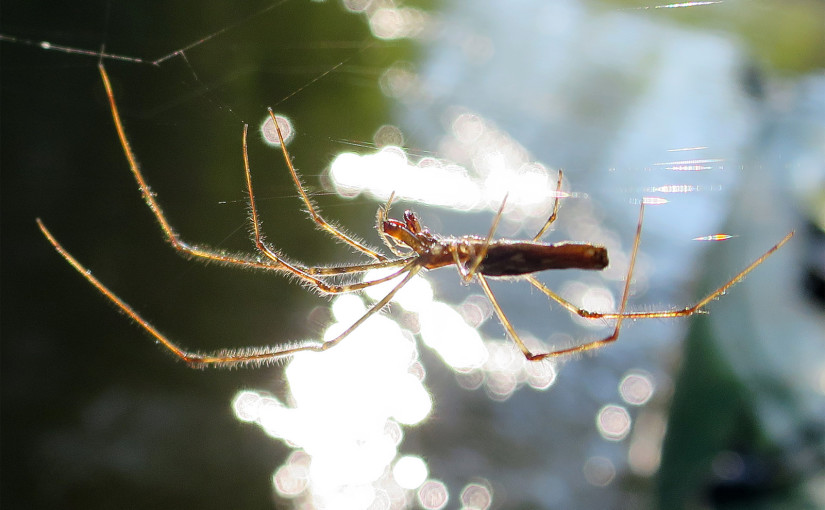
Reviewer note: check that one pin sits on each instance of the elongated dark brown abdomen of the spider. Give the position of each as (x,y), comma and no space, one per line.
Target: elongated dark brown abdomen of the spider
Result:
(514,258)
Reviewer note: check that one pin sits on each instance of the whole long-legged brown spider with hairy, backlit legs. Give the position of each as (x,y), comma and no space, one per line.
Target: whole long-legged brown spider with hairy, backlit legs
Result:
(476,258)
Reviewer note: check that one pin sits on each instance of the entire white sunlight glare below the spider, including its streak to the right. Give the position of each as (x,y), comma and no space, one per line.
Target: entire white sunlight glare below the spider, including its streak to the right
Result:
(348,404)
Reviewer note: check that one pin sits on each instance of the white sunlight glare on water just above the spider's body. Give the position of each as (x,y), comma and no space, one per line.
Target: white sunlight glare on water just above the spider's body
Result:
(499,167)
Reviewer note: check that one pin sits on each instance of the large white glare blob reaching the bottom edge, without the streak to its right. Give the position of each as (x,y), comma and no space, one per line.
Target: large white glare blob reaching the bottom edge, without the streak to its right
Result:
(345,407)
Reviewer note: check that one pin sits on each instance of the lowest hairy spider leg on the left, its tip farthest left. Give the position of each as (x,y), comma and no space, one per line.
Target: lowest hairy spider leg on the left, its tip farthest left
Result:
(226,357)
